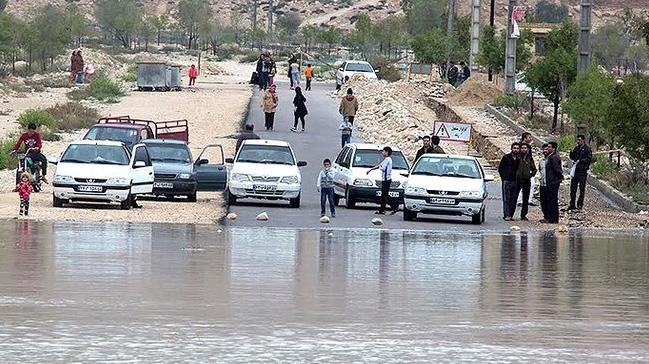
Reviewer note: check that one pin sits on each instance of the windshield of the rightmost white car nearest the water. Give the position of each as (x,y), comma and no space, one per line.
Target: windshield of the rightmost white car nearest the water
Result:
(448,167)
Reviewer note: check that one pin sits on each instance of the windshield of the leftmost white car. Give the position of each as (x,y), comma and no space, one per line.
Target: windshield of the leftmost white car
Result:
(96,154)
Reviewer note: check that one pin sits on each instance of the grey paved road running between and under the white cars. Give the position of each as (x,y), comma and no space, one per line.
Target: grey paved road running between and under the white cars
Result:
(322,140)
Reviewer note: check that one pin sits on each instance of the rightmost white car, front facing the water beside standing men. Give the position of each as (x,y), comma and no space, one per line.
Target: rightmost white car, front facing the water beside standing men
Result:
(446,185)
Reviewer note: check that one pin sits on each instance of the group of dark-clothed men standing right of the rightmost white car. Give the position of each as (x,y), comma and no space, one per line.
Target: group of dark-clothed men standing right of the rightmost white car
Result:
(517,170)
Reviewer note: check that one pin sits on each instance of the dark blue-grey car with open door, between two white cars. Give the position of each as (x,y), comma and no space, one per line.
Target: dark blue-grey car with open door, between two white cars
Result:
(176,172)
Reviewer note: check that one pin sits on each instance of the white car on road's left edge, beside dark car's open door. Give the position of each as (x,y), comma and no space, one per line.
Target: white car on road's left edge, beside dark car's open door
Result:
(265,169)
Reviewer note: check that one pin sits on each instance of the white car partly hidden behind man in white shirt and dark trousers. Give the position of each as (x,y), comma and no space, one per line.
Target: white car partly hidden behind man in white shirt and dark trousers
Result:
(354,184)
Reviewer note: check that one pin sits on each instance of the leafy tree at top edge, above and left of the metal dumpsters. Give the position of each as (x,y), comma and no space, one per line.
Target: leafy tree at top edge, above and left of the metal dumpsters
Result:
(119,18)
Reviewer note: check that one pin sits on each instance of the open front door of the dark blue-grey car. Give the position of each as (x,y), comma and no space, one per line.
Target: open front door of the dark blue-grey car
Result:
(210,169)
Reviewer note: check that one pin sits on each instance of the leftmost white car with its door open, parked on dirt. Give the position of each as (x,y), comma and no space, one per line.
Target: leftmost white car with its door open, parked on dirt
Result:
(102,171)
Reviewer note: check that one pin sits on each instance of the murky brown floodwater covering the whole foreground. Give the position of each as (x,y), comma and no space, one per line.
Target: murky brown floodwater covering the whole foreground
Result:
(74,293)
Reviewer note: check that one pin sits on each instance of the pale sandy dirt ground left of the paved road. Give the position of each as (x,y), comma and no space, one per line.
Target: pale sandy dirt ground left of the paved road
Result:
(214,109)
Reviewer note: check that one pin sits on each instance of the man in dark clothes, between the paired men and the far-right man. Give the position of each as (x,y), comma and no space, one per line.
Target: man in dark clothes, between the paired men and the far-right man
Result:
(551,177)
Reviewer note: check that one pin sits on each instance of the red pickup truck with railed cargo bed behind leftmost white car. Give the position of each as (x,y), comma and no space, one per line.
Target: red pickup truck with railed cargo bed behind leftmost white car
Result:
(133,131)
